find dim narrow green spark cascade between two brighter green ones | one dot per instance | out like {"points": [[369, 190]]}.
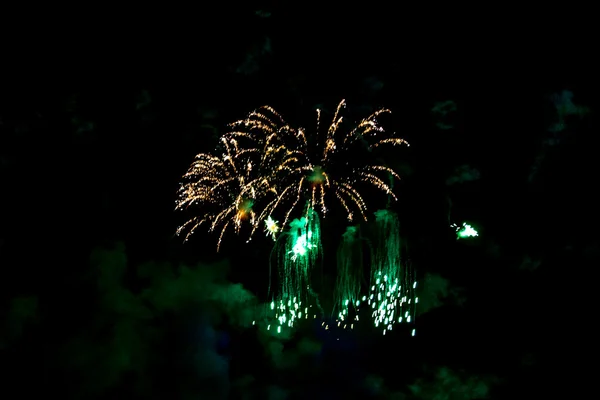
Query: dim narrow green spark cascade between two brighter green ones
{"points": [[349, 277]]}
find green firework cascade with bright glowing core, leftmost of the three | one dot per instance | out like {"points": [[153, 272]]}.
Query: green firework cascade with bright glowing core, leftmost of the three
{"points": [[297, 254]]}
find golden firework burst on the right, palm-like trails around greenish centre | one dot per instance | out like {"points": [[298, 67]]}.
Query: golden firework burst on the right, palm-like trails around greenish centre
{"points": [[325, 167]]}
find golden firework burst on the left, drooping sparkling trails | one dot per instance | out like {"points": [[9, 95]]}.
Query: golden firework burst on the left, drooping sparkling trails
{"points": [[227, 189]]}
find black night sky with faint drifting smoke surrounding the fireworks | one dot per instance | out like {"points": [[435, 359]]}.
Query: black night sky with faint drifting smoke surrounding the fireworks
{"points": [[101, 115]]}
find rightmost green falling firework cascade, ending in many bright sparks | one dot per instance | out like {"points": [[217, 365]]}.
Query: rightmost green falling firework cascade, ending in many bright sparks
{"points": [[392, 297]]}
